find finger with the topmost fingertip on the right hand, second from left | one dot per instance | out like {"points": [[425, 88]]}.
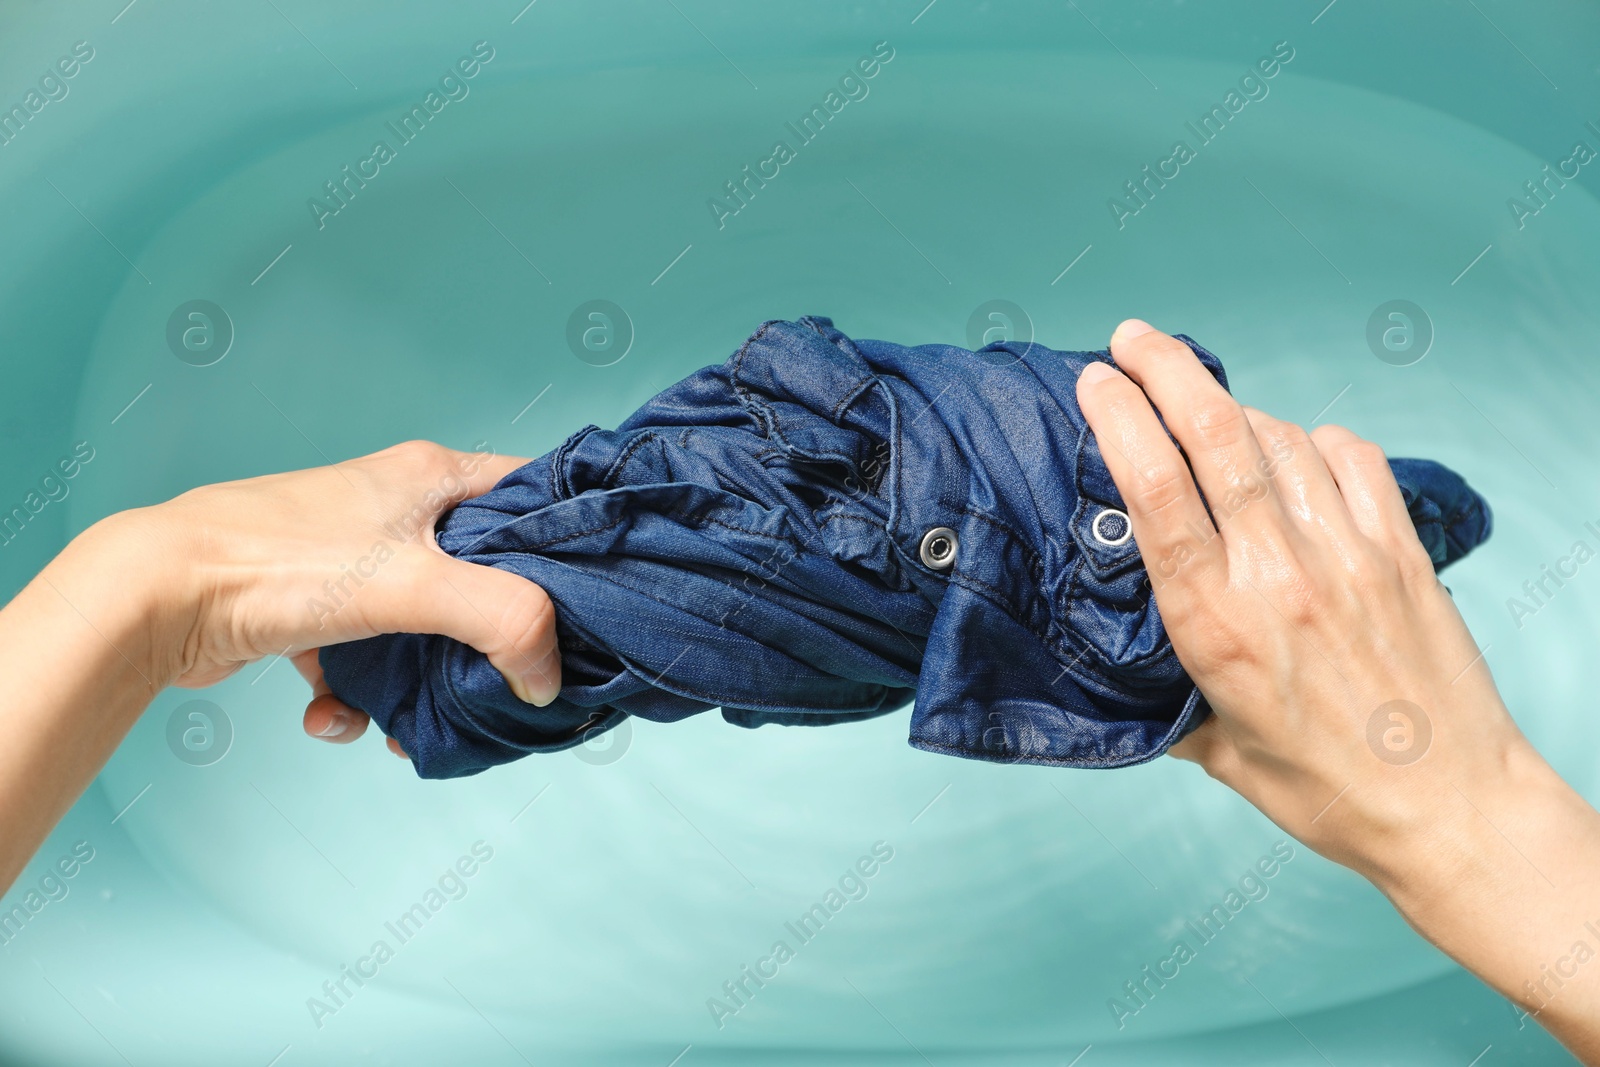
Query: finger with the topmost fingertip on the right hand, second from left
{"points": [[1207, 422]]}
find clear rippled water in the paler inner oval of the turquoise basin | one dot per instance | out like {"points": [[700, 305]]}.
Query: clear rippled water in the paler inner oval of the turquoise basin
{"points": [[482, 290]]}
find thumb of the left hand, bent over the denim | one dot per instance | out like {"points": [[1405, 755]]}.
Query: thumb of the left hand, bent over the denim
{"points": [[502, 615]]}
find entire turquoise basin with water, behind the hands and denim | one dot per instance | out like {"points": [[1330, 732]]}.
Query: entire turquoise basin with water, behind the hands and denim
{"points": [[436, 305]]}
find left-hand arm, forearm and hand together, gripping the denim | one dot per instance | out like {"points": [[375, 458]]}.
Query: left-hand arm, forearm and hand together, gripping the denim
{"points": [[190, 591]]}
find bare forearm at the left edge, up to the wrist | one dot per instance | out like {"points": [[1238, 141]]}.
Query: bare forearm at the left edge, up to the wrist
{"points": [[81, 650]]}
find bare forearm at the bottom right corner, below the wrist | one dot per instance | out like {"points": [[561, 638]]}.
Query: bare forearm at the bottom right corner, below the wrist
{"points": [[1506, 881]]}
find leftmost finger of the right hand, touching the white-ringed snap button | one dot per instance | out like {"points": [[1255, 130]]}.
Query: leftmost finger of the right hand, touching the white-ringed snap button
{"points": [[1170, 522]]}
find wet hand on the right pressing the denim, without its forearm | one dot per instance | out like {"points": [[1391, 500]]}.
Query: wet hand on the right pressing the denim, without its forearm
{"points": [[1308, 609]]}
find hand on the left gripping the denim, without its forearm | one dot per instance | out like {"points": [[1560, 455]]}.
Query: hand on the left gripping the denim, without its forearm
{"points": [[290, 562]]}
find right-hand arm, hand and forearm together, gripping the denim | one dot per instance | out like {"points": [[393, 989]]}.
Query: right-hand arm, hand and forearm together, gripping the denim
{"points": [[1351, 703]]}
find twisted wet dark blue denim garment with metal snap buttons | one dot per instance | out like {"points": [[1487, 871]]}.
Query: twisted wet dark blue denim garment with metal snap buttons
{"points": [[753, 540]]}
